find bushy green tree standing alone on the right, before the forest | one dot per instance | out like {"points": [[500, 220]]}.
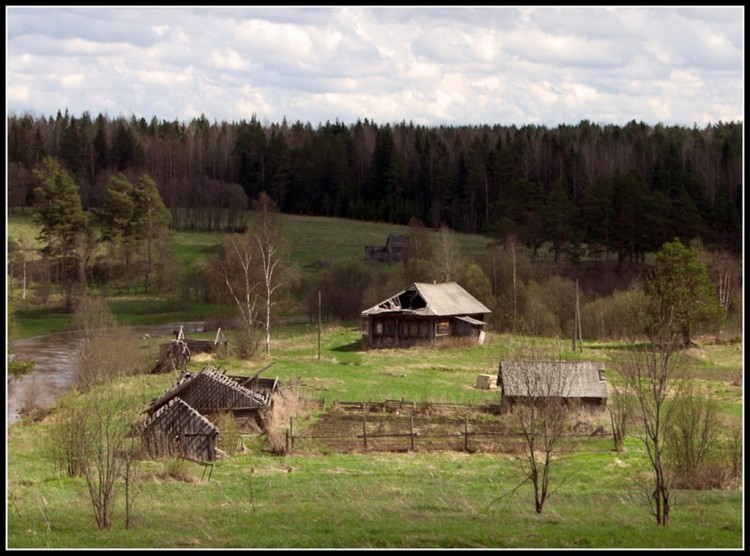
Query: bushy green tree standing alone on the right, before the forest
{"points": [[680, 288]]}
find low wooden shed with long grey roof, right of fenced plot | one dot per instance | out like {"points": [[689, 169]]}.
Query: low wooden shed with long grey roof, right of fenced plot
{"points": [[535, 381]]}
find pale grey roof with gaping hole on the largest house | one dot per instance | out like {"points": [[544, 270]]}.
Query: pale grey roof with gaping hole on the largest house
{"points": [[422, 298]]}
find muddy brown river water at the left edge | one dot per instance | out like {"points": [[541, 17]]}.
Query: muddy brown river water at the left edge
{"points": [[54, 358]]}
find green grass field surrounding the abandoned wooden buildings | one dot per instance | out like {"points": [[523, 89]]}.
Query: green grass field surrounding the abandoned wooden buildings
{"points": [[417, 499]]}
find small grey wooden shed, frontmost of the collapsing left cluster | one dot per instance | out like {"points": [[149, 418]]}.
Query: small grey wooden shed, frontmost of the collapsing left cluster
{"points": [[176, 429]]}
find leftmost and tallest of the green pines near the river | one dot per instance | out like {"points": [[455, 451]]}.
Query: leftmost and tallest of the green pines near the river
{"points": [[60, 215]]}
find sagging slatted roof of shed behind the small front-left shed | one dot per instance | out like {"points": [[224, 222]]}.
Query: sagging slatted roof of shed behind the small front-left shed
{"points": [[211, 390]]}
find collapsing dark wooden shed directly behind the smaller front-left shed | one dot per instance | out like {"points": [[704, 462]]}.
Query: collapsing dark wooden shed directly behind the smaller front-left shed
{"points": [[212, 392]]}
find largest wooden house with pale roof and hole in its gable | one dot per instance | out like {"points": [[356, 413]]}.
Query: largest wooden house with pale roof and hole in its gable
{"points": [[425, 313]]}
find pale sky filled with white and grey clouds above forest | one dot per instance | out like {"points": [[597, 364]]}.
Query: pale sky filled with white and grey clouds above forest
{"points": [[431, 66]]}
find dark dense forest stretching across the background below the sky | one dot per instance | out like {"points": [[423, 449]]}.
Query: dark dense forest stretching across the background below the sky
{"points": [[615, 189]]}
